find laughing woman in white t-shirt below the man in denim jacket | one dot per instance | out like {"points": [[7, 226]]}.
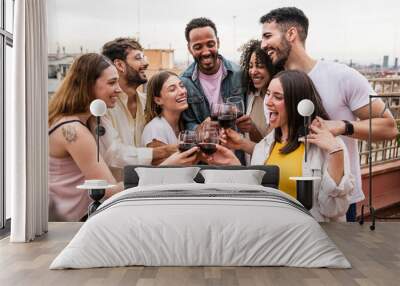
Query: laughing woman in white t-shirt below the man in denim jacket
{"points": [[166, 100]]}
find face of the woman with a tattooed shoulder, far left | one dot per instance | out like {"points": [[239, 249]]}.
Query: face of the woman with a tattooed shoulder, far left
{"points": [[106, 86]]}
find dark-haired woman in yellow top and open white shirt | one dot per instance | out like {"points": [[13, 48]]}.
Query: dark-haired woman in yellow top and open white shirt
{"points": [[327, 156]]}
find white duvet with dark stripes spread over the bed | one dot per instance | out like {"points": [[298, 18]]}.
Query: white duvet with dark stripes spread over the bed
{"points": [[187, 230]]}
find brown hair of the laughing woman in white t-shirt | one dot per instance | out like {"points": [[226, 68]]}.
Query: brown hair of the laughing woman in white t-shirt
{"points": [[154, 87]]}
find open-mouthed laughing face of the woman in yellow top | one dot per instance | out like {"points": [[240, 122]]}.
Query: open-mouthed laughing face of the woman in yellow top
{"points": [[275, 103]]}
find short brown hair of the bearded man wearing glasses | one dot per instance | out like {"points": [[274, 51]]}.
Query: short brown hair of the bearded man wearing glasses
{"points": [[119, 48]]}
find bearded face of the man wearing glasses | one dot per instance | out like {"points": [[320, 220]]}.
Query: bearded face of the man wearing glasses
{"points": [[135, 67]]}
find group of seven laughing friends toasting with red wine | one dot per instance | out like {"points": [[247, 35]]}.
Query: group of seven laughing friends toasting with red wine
{"points": [[274, 75]]}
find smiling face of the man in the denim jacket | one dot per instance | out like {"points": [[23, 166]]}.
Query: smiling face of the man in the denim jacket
{"points": [[203, 45]]}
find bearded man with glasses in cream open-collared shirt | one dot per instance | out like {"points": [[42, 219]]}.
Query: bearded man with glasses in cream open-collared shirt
{"points": [[124, 124]]}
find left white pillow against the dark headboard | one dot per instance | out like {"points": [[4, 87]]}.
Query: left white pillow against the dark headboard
{"points": [[166, 176]]}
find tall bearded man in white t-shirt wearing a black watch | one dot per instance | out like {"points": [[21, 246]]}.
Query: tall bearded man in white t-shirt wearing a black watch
{"points": [[344, 91]]}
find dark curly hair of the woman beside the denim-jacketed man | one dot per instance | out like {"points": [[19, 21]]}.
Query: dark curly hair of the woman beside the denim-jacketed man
{"points": [[254, 46]]}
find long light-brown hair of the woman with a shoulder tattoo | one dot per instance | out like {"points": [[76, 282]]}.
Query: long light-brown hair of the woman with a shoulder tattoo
{"points": [[76, 90]]}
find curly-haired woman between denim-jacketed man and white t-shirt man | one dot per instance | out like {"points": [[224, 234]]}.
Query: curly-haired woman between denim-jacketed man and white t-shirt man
{"points": [[258, 71]]}
